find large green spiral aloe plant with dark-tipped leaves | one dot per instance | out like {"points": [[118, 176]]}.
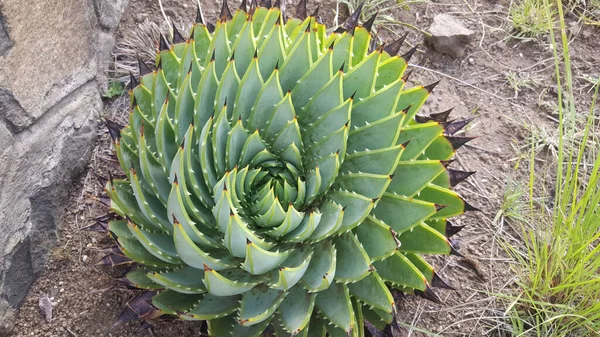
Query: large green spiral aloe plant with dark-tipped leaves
{"points": [[277, 175]]}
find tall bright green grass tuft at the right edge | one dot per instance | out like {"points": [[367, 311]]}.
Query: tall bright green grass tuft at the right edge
{"points": [[558, 263]]}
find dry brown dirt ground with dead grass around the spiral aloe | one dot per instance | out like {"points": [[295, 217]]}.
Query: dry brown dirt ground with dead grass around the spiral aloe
{"points": [[477, 85]]}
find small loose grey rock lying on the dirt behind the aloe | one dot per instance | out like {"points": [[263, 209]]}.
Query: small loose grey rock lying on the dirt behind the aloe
{"points": [[449, 35]]}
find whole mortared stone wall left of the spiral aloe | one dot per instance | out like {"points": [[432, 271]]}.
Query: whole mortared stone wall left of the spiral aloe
{"points": [[52, 57]]}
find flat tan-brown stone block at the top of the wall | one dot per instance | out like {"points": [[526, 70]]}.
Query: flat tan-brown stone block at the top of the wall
{"points": [[52, 58]]}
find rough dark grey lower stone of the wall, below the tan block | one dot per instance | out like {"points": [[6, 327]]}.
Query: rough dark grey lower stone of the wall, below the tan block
{"points": [[36, 175]]}
